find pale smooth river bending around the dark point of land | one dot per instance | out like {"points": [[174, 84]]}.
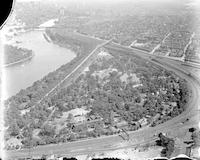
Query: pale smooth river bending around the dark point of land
{"points": [[47, 57]]}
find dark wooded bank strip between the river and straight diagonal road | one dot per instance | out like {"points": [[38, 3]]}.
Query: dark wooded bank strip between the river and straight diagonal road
{"points": [[42, 86]]}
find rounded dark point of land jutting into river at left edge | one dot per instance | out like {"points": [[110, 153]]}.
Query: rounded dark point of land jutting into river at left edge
{"points": [[14, 55]]}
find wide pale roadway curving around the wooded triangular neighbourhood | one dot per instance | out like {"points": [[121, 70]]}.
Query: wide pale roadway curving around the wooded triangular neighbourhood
{"points": [[136, 137]]}
